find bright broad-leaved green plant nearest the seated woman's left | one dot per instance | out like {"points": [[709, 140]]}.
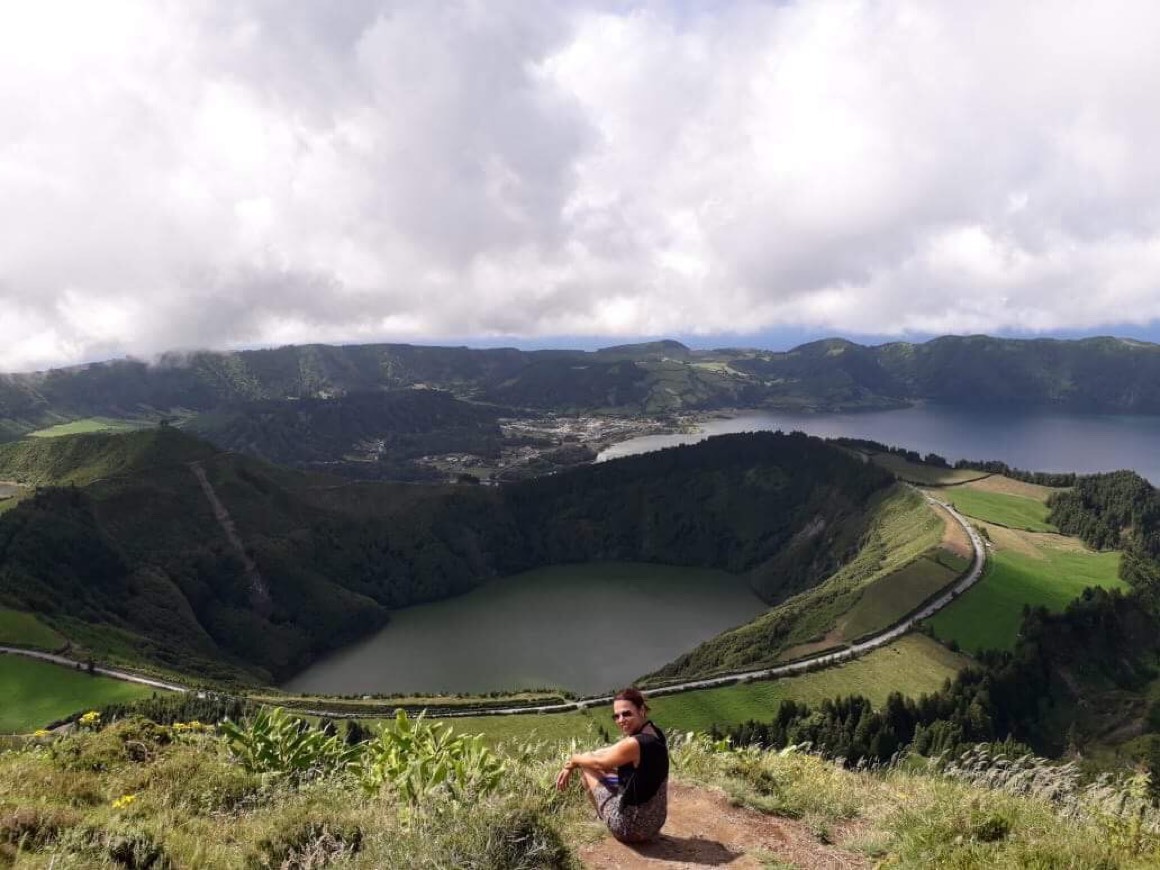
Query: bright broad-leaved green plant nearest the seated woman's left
{"points": [[420, 762]]}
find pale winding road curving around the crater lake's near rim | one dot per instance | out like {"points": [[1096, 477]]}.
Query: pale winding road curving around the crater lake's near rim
{"points": [[787, 670]]}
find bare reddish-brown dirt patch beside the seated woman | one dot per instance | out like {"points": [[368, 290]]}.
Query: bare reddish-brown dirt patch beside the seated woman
{"points": [[704, 830]]}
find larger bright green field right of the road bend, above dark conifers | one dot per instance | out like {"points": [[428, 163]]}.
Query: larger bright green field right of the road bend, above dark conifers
{"points": [[989, 615]]}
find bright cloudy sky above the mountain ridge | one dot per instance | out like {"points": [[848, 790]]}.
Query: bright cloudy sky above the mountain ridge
{"points": [[242, 173]]}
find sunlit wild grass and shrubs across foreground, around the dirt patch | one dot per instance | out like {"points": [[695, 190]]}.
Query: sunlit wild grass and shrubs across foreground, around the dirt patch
{"points": [[140, 795]]}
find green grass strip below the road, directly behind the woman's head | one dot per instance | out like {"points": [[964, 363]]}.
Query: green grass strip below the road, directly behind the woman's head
{"points": [[912, 665]]}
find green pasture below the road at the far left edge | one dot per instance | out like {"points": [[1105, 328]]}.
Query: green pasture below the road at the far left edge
{"points": [[37, 693]]}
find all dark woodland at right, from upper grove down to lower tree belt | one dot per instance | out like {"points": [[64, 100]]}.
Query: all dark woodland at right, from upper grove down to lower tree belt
{"points": [[1079, 679]]}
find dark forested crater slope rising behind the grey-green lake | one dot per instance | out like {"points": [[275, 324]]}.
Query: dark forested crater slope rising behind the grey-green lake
{"points": [[135, 562]]}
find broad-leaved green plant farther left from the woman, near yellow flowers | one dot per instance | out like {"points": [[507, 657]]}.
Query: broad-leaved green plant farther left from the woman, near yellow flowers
{"points": [[275, 743]]}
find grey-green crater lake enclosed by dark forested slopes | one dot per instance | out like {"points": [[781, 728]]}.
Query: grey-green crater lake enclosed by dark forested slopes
{"points": [[588, 628]]}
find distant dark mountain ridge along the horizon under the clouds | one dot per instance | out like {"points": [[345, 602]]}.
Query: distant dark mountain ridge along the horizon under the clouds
{"points": [[1101, 375]]}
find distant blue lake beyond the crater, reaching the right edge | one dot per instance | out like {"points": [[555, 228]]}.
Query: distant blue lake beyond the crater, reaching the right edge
{"points": [[1035, 441]]}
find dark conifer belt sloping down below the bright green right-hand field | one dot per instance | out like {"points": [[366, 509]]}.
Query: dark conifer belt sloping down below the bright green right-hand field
{"points": [[1104, 641]]}
